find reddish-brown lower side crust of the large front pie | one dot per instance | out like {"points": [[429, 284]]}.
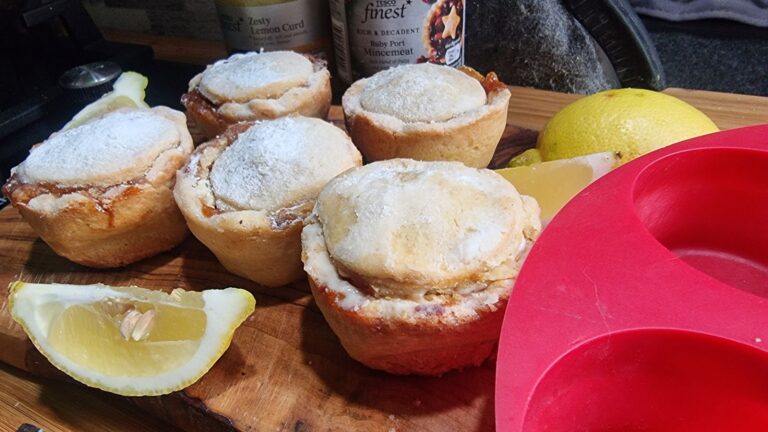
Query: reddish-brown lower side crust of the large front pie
{"points": [[403, 347]]}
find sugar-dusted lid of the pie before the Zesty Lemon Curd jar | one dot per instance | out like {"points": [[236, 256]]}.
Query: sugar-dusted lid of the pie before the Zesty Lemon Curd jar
{"points": [[243, 77]]}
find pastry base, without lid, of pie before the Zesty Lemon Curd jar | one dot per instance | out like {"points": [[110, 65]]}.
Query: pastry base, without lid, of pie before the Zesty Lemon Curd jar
{"points": [[210, 119]]}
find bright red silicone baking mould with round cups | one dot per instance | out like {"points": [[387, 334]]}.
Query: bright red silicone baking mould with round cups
{"points": [[644, 304]]}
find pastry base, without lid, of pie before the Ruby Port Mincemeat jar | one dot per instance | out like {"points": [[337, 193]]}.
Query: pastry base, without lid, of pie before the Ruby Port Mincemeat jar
{"points": [[471, 137]]}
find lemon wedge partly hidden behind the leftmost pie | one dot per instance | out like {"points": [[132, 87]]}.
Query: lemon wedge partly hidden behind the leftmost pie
{"points": [[127, 92]]}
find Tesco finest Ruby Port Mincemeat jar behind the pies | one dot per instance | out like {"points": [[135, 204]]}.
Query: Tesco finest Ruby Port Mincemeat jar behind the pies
{"points": [[373, 35]]}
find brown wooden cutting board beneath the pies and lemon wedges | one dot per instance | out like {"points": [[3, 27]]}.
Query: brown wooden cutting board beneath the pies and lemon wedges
{"points": [[285, 369]]}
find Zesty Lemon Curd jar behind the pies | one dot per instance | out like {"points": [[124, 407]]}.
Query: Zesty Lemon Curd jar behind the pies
{"points": [[271, 25]]}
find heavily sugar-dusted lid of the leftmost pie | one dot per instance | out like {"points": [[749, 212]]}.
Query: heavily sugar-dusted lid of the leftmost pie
{"points": [[107, 150]]}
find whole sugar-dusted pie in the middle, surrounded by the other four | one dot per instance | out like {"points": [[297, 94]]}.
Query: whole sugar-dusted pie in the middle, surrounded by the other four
{"points": [[248, 209]]}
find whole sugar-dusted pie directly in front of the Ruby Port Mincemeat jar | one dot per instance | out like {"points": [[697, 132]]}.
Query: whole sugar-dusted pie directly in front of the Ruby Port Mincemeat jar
{"points": [[469, 135]]}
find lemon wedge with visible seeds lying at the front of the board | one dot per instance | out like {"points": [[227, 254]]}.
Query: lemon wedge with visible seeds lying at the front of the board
{"points": [[128, 340]]}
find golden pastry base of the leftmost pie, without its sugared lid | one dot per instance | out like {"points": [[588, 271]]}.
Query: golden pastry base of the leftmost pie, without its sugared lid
{"points": [[141, 218]]}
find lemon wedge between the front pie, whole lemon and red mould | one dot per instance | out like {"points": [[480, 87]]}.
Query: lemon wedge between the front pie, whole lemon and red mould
{"points": [[554, 183]]}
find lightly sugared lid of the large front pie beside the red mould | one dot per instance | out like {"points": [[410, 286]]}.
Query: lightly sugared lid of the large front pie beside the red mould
{"points": [[421, 219]]}
